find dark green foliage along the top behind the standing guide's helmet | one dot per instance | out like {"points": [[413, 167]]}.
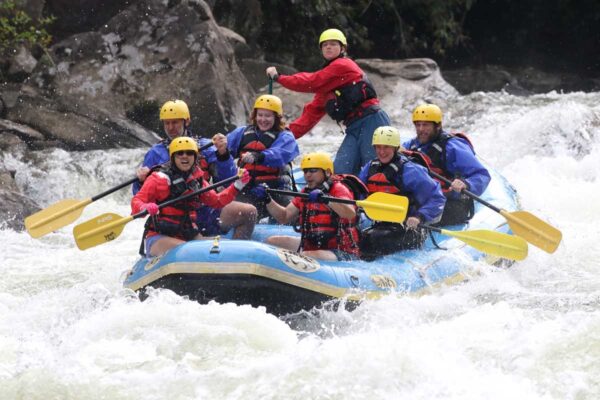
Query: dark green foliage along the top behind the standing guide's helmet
{"points": [[288, 30]]}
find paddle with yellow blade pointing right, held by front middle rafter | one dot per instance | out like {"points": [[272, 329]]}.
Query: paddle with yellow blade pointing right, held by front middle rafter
{"points": [[379, 206]]}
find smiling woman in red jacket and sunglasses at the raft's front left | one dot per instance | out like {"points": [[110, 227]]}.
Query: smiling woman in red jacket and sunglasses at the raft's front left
{"points": [[176, 223]]}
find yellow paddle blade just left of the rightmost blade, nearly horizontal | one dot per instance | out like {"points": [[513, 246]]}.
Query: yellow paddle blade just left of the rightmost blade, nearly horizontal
{"points": [[492, 242]]}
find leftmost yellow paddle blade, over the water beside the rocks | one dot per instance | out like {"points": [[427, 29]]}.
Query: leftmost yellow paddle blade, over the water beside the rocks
{"points": [[55, 217]]}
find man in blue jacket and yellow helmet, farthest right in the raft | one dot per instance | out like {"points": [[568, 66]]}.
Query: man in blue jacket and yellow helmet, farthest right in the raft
{"points": [[451, 155]]}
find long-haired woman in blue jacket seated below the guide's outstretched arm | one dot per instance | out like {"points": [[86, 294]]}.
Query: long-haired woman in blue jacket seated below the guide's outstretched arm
{"points": [[265, 148]]}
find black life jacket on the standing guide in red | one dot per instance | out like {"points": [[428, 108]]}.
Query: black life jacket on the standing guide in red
{"points": [[347, 101]]}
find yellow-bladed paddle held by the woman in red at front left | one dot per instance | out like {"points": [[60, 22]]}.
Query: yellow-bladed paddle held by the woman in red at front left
{"points": [[109, 226]]}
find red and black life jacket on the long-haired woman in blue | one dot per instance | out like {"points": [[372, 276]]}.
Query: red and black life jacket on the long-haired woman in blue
{"points": [[251, 142]]}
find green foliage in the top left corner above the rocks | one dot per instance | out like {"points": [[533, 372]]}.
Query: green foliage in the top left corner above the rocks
{"points": [[17, 27]]}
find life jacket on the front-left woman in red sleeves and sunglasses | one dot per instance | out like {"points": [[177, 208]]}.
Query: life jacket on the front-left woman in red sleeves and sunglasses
{"points": [[178, 219]]}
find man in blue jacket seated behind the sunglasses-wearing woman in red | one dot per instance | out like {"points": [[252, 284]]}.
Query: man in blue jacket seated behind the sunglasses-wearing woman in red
{"points": [[216, 164]]}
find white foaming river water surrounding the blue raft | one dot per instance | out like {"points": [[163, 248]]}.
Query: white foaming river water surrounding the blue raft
{"points": [[68, 330]]}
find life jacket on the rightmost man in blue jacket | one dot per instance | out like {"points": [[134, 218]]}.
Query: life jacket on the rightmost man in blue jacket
{"points": [[434, 159]]}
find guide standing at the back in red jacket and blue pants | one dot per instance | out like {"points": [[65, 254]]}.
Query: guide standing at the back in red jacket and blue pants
{"points": [[342, 91]]}
